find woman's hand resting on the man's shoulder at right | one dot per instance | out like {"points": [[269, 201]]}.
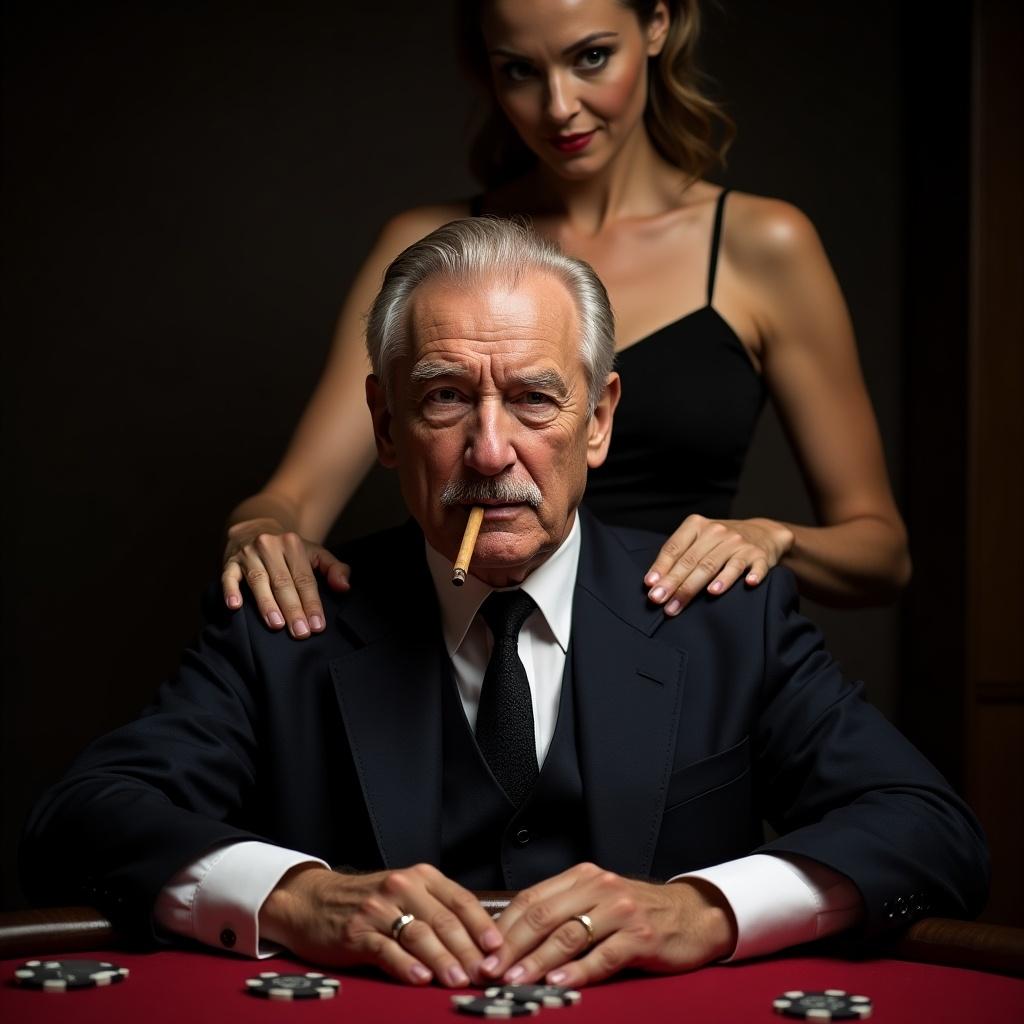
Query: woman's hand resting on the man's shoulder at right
{"points": [[712, 556]]}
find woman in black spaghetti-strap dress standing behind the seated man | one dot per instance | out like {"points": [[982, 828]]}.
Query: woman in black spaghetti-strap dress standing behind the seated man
{"points": [[602, 138]]}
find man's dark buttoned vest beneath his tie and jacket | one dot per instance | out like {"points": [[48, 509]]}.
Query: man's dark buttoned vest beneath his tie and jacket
{"points": [[486, 842]]}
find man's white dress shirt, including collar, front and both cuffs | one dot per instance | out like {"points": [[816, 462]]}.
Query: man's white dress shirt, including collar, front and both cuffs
{"points": [[778, 902]]}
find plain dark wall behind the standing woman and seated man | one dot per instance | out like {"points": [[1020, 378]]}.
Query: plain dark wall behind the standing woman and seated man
{"points": [[189, 189]]}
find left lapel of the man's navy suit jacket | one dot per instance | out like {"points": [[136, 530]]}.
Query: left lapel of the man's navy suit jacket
{"points": [[389, 691]]}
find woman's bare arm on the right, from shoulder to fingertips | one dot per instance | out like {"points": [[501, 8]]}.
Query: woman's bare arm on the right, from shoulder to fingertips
{"points": [[775, 266]]}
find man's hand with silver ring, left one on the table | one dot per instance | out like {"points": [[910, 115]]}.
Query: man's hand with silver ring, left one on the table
{"points": [[345, 920]]}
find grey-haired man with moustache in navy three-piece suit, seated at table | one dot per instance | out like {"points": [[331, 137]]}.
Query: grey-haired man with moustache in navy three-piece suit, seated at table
{"points": [[542, 730]]}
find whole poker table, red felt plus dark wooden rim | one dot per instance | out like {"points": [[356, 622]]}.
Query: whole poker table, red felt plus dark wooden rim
{"points": [[938, 970]]}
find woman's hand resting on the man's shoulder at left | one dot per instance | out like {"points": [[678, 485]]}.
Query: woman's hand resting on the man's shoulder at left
{"points": [[281, 570]]}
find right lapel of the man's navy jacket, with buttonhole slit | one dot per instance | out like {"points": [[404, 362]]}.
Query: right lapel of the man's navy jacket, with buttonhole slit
{"points": [[629, 689]]}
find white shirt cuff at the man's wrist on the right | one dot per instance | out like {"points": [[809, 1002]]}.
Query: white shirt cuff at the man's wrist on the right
{"points": [[781, 901]]}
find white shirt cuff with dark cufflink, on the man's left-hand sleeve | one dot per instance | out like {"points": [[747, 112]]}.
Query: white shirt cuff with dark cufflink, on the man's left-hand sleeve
{"points": [[218, 899]]}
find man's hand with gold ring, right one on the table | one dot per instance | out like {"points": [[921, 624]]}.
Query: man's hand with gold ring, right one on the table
{"points": [[659, 928]]}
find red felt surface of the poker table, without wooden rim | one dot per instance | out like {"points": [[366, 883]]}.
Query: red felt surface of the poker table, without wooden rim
{"points": [[172, 988]]}
